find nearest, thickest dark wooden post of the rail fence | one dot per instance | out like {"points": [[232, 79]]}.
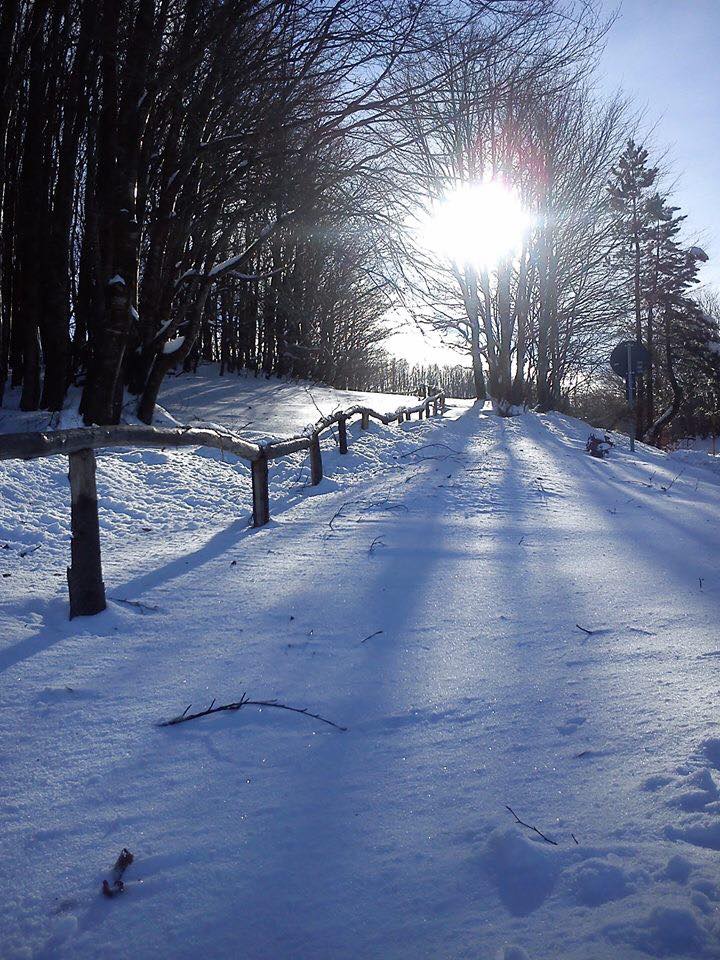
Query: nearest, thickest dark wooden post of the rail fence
{"points": [[85, 583]]}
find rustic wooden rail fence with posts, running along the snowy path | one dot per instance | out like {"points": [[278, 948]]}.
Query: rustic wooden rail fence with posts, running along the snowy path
{"points": [[85, 582]]}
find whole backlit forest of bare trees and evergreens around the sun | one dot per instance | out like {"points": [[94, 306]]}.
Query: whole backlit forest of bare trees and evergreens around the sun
{"points": [[247, 182]]}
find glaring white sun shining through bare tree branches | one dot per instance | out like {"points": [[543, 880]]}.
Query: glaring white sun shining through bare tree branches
{"points": [[478, 224]]}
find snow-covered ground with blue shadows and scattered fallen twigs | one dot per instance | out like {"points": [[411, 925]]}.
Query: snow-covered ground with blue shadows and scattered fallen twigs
{"points": [[498, 619]]}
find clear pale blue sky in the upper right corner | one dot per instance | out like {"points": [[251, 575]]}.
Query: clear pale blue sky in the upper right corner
{"points": [[666, 55]]}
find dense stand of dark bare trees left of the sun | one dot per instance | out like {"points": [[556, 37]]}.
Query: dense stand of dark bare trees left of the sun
{"points": [[171, 167]]}
